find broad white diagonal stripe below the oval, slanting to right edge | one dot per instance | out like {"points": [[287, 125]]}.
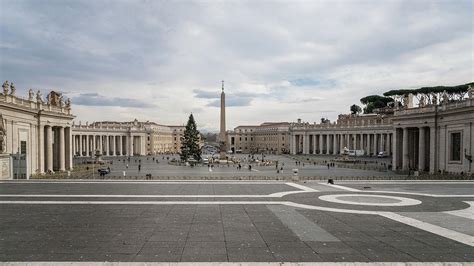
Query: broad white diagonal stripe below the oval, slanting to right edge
{"points": [[456, 236]]}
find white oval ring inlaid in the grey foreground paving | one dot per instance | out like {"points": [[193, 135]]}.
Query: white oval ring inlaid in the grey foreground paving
{"points": [[400, 200]]}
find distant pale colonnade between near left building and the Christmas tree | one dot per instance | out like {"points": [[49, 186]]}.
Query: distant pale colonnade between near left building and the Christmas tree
{"points": [[108, 145]]}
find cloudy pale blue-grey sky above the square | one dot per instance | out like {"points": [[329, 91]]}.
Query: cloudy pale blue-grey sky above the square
{"points": [[280, 60]]}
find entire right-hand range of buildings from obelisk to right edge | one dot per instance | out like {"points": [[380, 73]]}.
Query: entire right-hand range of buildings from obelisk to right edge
{"points": [[435, 137]]}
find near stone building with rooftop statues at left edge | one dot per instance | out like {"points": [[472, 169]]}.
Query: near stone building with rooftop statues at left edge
{"points": [[37, 134]]}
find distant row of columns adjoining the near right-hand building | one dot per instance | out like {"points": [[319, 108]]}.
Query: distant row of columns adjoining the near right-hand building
{"points": [[334, 143]]}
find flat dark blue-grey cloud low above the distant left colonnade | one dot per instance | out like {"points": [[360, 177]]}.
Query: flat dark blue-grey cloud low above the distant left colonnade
{"points": [[95, 99]]}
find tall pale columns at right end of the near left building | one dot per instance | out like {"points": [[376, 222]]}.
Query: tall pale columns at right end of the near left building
{"points": [[54, 149]]}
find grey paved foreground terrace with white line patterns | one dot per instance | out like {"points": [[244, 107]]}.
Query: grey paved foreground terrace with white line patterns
{"points": [[225, 221]]}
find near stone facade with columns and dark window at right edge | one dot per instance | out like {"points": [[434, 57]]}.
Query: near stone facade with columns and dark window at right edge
{"points": [[435, 138]]}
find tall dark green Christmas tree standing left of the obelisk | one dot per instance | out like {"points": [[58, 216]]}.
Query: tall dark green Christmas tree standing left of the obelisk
{"points": [[190, 141]]}
